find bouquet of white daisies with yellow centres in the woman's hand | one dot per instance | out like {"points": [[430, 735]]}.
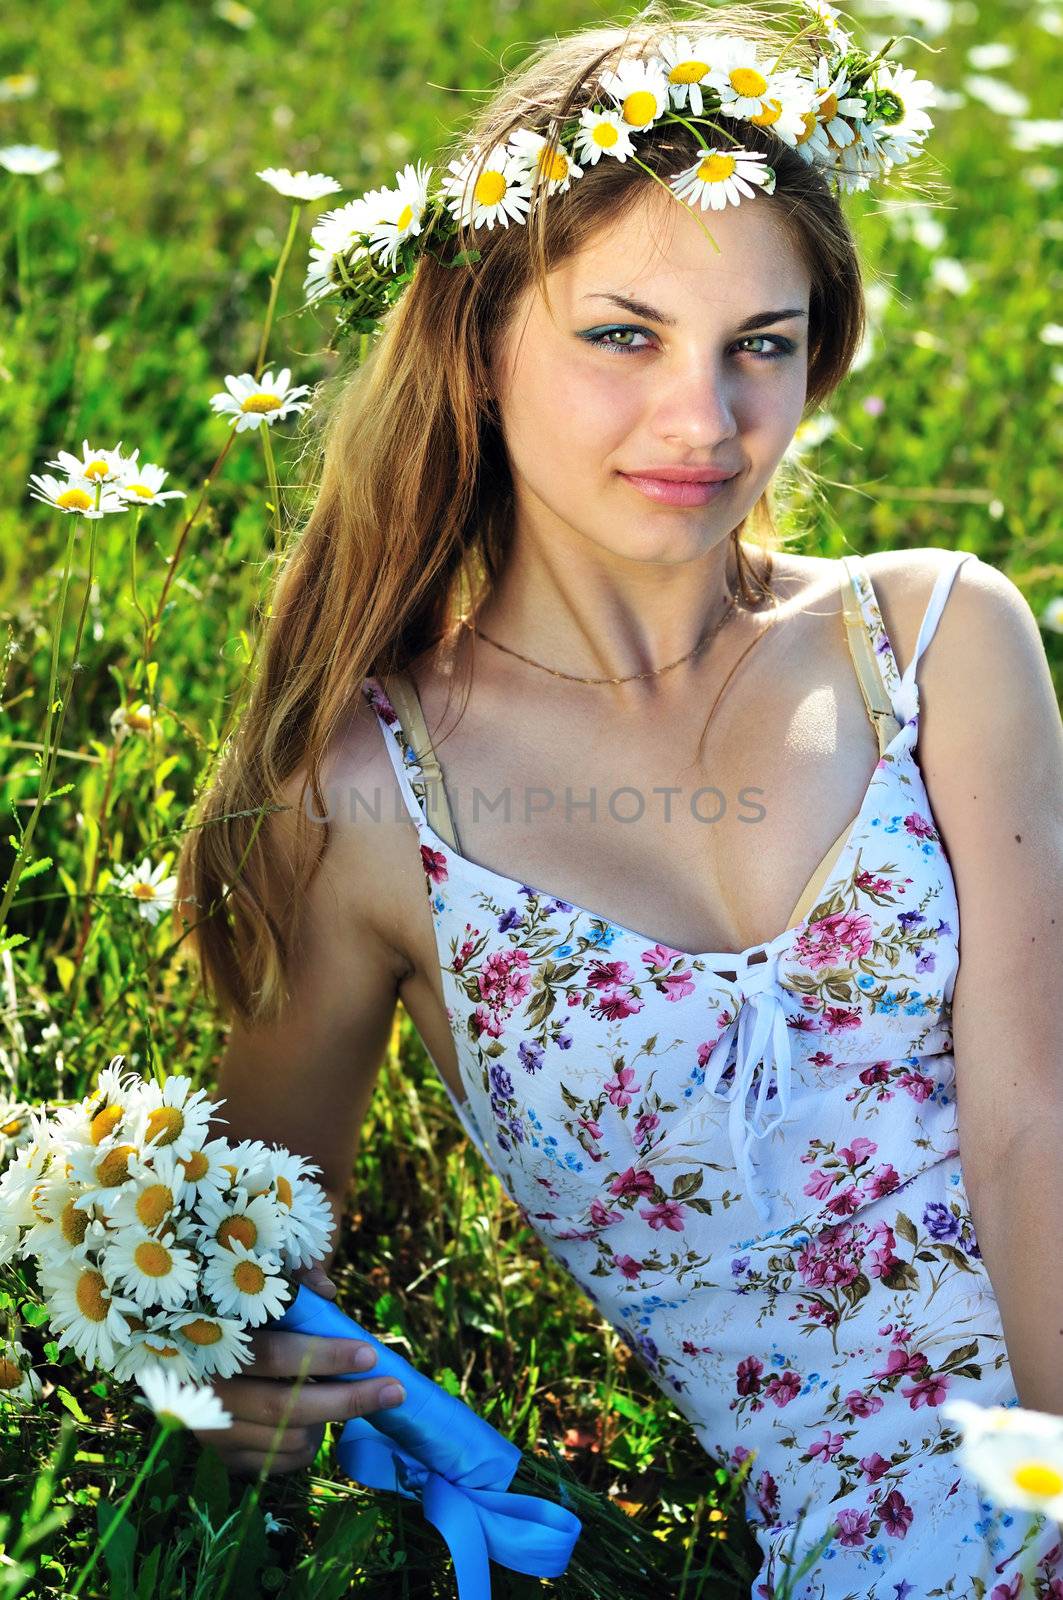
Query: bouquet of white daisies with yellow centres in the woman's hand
{"points": [[154, 1244]]}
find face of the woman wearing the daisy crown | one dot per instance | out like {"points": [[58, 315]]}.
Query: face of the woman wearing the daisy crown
{"points": [[710, 372]]}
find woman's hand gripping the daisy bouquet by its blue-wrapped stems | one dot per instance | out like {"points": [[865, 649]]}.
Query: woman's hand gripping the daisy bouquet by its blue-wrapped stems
{"points": [[262, 1394]]}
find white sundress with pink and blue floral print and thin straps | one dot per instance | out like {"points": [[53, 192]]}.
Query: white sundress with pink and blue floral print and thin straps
{"points": [[750, 1162]]}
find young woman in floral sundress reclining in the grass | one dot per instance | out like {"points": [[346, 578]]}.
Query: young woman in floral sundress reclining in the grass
{"points": [[676, 902]]}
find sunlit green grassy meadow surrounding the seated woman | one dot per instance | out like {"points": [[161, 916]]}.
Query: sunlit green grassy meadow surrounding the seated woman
{"points": [[135, 274]]}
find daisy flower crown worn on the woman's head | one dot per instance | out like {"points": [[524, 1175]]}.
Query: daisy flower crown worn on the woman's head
{"points": [[846, 113]]}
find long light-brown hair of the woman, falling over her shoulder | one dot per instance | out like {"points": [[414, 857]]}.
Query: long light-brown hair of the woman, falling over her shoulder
{"points": [[414, 516]]}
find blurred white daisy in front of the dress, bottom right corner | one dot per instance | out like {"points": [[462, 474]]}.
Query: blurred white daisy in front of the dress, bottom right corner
{"points": [[1016, 1454]]}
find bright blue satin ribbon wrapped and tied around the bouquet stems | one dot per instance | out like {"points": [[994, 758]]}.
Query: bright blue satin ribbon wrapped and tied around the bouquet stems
{"points": [[438, 1450]]}
